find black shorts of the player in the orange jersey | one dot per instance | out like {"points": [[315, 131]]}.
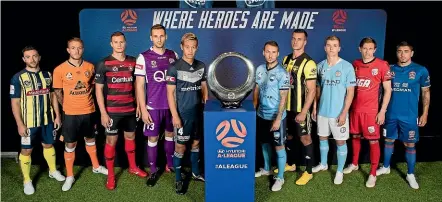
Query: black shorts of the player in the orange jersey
{"points": [[78, 125]]}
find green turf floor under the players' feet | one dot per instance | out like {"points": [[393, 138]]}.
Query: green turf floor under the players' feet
{"points": [[90, 187]]}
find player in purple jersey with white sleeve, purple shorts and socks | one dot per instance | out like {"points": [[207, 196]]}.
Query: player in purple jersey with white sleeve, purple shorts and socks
{"points": [[151, 68]]}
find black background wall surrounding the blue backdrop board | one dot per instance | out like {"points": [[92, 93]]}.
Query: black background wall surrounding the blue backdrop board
{"points": [[48, 25]]}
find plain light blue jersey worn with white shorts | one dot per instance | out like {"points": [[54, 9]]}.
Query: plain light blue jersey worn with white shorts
{"points": [[333, 82]]}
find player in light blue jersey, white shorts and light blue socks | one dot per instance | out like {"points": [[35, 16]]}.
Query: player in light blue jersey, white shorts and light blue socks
{"points": [[335, 91]]}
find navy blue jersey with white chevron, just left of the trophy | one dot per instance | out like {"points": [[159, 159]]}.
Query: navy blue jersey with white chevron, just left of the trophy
{"points": [[187, 78]]}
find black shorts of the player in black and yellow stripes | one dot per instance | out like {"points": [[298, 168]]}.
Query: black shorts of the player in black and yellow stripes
{"points": [[300, 129]]}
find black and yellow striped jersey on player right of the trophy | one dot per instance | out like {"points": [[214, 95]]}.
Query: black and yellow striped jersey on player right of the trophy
{"points": [[301, 69]]}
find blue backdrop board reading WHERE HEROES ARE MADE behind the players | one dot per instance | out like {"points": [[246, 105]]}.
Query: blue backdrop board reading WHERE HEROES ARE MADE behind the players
{"points": [[233, 29]]}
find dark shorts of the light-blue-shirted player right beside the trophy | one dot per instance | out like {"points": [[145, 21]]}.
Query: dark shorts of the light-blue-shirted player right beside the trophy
{"points": [[266, 136]]}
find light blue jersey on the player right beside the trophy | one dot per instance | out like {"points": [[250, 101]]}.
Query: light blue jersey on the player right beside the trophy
{"points": [[270, 82]]}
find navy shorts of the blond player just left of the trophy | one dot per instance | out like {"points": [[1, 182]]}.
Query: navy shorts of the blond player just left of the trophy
{"points": [[191, 128]]}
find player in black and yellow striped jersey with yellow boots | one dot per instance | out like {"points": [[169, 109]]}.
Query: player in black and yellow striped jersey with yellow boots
{"points": [[302, 70]]}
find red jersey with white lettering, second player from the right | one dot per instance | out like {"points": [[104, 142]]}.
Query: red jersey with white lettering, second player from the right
{"points": [[369, 78]]}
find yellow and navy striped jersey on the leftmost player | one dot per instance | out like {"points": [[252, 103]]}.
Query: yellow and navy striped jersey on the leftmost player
{"points": [[34, 90]]}
